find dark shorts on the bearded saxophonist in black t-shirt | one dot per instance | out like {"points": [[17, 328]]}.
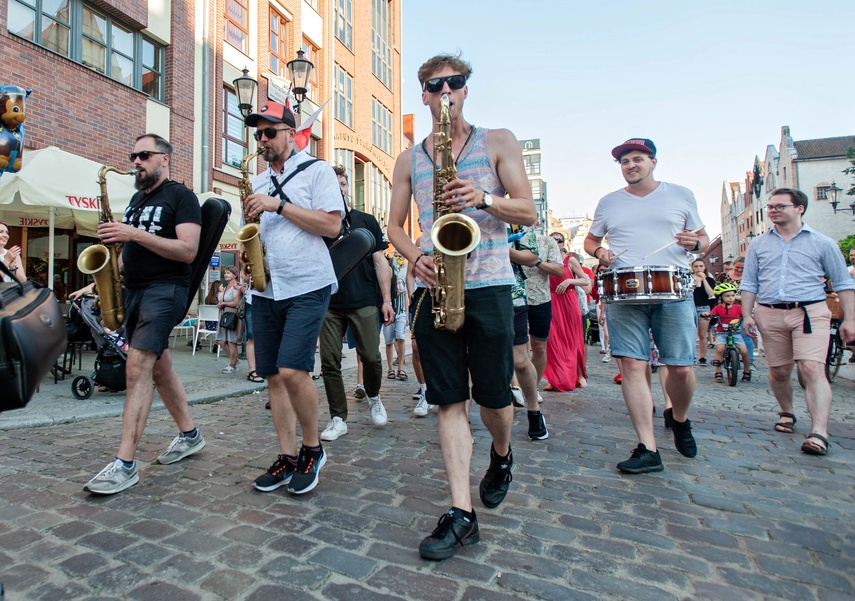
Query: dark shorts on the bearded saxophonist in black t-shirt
{"points": [[151, 313]]}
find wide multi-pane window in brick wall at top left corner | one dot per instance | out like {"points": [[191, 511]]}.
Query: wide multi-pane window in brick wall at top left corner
{"points": [[84, 34]]}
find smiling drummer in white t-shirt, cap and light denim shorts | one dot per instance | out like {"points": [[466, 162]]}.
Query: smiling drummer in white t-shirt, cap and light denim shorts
{"points": [[638, 221]]}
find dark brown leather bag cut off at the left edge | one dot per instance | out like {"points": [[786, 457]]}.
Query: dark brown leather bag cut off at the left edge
{"points": [[32, 336]]}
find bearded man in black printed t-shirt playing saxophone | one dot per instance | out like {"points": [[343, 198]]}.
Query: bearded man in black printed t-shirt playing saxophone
{"points": [[160, 233]]}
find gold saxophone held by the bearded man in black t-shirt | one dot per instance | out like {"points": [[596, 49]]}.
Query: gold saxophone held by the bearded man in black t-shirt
{"points": [[102, 261]]}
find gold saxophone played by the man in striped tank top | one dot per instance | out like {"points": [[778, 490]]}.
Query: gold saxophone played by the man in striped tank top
{"points": [[453, 235]]}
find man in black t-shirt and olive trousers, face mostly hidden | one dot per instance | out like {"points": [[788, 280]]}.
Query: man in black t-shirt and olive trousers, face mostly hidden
{"points": [[359, 295]]}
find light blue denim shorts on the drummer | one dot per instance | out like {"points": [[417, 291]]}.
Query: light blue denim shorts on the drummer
{"points": [[674, 328]]}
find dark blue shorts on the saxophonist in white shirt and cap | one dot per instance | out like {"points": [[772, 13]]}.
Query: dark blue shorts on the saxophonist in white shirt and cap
{"points": [[288, 330]]}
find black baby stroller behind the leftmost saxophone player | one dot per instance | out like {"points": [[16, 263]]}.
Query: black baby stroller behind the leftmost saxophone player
{"points": [[110, 360]]}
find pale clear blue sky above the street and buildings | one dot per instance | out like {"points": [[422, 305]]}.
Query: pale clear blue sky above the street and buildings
{"points": [[710, 83]]}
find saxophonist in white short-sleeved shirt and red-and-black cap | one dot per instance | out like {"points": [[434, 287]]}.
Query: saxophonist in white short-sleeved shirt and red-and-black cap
{"points": [[298, 201]]}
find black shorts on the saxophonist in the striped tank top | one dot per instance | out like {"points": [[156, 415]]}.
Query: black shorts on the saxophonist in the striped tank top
{"points": [[482, 349]]}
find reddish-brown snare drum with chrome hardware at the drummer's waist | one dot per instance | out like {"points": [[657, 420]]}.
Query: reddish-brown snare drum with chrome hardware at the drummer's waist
{"points": [[642, 285]]}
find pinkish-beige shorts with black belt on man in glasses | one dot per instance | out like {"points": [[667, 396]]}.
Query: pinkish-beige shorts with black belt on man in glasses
{"points": [[783, 338]]}
